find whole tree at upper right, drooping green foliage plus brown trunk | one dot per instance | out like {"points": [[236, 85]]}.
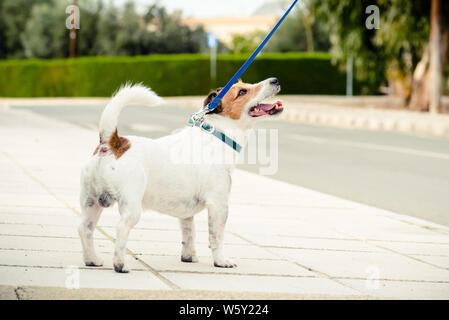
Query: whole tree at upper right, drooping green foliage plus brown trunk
{"points": [[399, 52]]}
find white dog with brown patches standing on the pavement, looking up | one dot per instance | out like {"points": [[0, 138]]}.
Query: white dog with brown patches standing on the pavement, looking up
{"points": [[139, 173]]}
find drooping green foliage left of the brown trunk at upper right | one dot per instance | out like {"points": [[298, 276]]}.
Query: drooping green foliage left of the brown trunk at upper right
{"points": [[392, 50]]}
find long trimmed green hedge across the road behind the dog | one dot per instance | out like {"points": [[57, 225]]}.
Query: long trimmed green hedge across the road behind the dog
{"points": [[168, 75]]}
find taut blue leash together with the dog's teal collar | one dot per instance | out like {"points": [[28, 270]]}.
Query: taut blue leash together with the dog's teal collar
{"points": [[197, 118]]}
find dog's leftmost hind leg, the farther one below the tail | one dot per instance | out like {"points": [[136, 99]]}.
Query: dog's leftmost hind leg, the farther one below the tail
{"points": [[90, 214]]}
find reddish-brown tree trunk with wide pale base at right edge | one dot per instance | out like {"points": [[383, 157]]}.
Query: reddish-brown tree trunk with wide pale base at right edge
{"points": [[428, 74]]}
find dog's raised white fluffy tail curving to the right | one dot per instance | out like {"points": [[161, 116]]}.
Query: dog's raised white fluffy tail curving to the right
{"points": [[127, 95]]}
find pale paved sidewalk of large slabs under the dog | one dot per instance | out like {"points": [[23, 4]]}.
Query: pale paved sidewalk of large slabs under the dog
{"points": [[289, 242]]}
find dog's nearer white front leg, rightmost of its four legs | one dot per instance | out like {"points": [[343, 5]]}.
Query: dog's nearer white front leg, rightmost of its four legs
{"points": [[218, 215]]}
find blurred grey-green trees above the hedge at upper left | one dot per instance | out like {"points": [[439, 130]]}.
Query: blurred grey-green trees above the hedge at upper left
{"points": [[36, 29]]}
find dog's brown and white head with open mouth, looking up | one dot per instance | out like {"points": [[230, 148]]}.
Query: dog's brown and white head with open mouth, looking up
{"points": [[246, 101]]}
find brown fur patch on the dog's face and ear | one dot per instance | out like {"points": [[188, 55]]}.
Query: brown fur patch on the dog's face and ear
{"points": [[233, 103]]}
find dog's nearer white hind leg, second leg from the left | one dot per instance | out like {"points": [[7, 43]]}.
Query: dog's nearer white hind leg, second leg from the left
{"points": [[130, 215]]}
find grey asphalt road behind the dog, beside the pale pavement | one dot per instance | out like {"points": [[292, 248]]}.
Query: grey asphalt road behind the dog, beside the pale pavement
{"points": [[402, 173]]}
